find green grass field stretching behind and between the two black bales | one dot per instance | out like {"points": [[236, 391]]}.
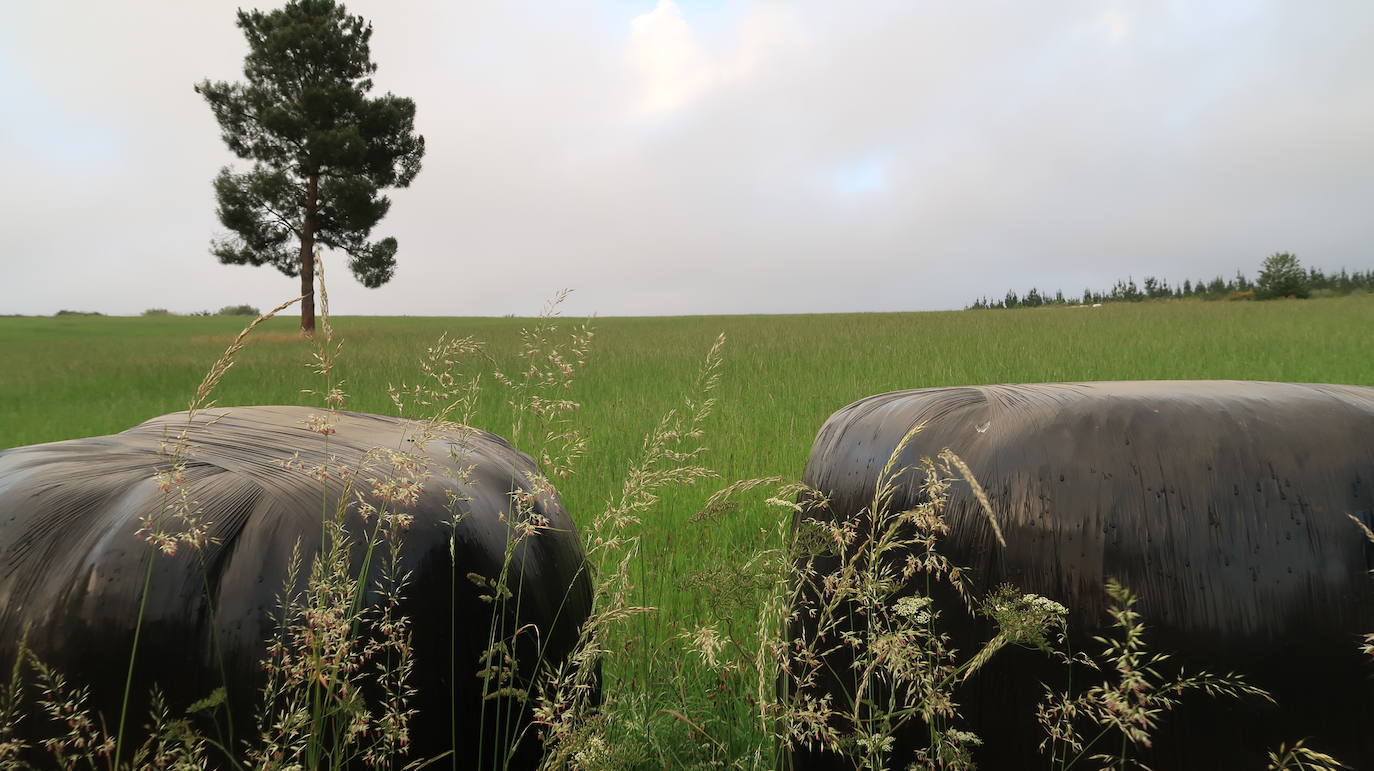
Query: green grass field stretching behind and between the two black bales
{"points": [[686, 680]]}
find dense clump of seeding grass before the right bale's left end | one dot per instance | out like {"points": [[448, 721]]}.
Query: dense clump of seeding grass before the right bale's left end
{"points": [[868, 658]]}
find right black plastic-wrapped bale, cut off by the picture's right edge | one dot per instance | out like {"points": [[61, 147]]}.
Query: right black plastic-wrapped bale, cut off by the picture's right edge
{"points": [[1222, 505]]}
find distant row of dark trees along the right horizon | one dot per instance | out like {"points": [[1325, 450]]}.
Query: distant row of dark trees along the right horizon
{"points": [[1281, 276]]}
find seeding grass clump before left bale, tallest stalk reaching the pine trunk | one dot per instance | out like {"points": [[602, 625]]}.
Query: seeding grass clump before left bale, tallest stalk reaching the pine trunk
{"points": [[329, 644]]}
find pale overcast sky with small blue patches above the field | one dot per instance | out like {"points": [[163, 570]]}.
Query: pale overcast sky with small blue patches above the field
{"points": [[718, 157]]}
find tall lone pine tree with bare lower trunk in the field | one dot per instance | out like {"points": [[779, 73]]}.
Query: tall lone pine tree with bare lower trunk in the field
{"points": [[321, 148]]}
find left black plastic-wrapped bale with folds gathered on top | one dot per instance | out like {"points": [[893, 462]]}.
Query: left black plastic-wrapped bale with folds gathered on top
{"points": [[72, 566]]}
